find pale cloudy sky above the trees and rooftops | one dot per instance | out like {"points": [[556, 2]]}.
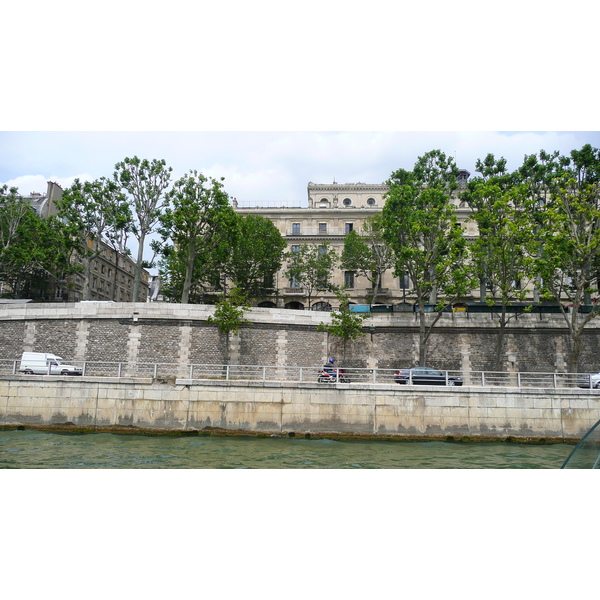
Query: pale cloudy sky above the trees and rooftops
{"points": [[269, 168]]}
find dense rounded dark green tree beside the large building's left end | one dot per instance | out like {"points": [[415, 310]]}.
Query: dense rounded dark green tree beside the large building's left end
{"points": [[255, 255]]}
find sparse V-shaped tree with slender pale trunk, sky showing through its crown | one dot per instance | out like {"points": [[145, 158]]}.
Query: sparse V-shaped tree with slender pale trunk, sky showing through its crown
{"points": [[146, 182]]}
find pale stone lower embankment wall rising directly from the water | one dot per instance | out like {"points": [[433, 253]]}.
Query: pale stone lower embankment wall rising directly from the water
{"points": [[111, 404]]}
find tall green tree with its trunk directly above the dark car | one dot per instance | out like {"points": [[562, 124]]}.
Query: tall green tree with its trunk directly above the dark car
{"points": [[421, 227]]}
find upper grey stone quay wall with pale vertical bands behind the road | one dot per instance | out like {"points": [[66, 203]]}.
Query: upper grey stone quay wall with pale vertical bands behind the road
{"points": [[174, 333]]}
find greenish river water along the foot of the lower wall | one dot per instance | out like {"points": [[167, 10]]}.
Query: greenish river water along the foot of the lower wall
{"points": [[43, 450]]}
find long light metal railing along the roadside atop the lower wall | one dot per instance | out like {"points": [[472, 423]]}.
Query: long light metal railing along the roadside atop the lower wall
{"points": [[311, 374]]}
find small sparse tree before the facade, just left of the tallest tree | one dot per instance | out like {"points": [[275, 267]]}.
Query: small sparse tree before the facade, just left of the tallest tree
{"points": [[366, 254]]}
